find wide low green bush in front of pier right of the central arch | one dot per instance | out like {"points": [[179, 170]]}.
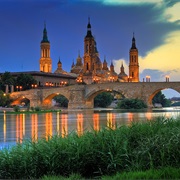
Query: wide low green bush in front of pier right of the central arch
{"points": [[131, 104]]}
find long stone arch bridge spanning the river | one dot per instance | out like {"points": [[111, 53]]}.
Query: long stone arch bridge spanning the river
{"points": [[82, 96]]}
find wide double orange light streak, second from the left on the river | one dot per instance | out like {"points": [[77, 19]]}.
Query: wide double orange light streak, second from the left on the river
{"points": [[20, 127]]}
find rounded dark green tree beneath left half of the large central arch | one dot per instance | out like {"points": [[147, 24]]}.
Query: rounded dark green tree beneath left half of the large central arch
{"points": [[103, 100]]}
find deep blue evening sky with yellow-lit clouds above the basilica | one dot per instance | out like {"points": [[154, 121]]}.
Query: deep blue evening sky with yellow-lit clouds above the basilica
{"points": [[155, 24]]}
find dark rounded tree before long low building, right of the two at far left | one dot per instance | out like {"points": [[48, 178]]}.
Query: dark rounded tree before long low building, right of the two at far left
{"points": [[25, 81]]}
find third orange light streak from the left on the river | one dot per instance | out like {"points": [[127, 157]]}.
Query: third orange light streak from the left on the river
{"points": [[34, 130]]}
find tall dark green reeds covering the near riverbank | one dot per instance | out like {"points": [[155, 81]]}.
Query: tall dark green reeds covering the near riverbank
{"points": [[136, 148]]}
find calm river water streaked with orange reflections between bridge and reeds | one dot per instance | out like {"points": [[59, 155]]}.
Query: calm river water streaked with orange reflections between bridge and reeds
{"points": [[16, 128]]}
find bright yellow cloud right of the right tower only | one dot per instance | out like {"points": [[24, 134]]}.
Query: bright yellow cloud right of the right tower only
{"points": [[165, 58]]}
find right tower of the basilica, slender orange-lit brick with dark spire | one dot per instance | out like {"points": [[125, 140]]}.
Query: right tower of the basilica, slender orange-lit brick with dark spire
{"points": [[133, 62]]}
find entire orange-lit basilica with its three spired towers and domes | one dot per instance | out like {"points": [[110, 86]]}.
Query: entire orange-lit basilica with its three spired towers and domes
{"points": [[90, 69]]}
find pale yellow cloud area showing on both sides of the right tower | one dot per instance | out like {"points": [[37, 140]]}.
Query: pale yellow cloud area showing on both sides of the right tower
{"points": [[161, 62]]}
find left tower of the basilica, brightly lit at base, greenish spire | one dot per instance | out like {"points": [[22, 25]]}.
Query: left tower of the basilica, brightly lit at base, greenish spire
{"points": [[45, 61]]}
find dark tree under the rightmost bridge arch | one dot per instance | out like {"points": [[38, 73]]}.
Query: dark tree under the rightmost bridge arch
{"points": [[161, 99]]}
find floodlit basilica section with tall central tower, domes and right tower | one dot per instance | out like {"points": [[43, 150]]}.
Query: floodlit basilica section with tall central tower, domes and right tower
{"points": [[92, 70]]}
